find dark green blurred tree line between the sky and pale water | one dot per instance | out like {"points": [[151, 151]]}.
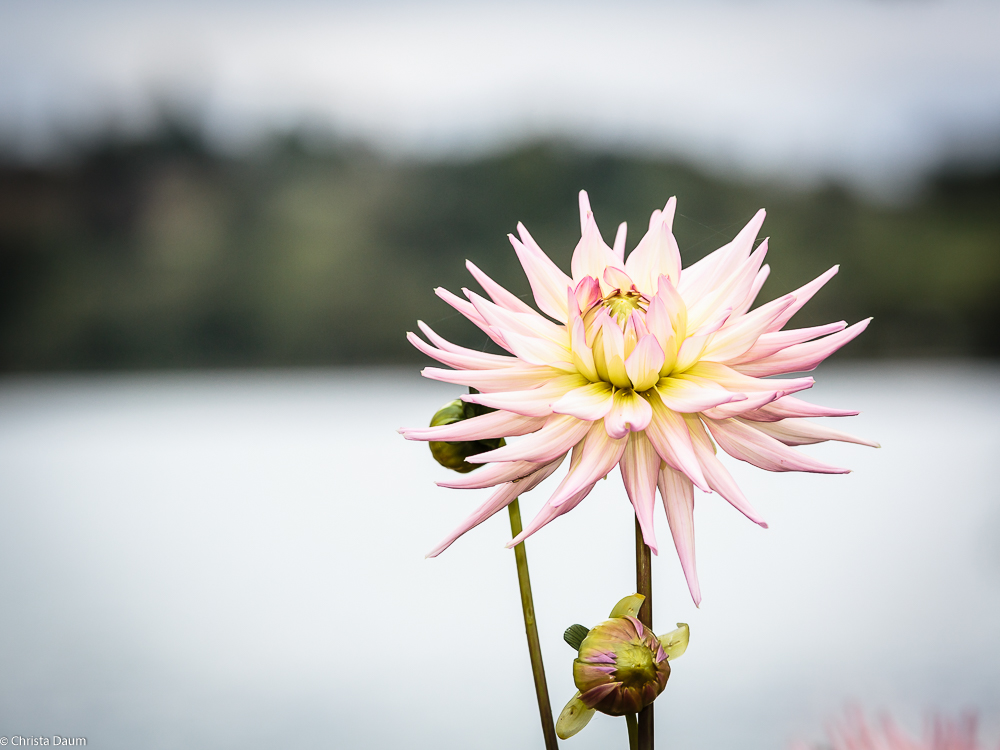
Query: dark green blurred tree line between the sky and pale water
{"points": [[161, 253]]}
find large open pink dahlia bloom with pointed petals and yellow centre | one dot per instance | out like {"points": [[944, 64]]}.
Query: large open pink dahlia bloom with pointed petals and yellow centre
{"points": [[636, 364]]}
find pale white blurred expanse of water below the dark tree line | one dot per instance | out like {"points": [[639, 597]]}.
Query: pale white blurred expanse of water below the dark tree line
{"points": [[236, 561]]}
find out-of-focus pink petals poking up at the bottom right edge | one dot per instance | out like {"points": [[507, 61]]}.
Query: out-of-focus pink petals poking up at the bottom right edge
{"points": [[855, 733]]}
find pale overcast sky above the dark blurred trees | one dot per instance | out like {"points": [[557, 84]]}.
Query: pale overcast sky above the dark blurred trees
{"points": [[871, 90]]}
